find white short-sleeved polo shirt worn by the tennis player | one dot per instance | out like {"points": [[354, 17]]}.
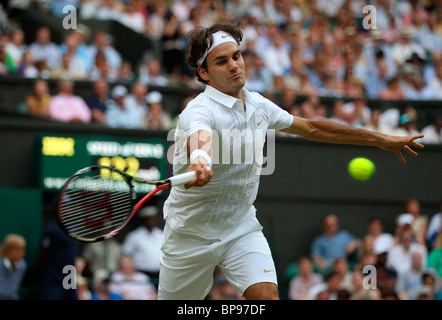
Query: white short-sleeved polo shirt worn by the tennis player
{"points": [[216, 209]]}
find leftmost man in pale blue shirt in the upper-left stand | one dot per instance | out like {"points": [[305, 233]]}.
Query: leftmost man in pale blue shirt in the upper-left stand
{"points": [[42, 48]]}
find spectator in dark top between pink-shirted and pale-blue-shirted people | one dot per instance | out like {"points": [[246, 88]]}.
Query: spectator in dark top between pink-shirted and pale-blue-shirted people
{"points": [[98, 100]]}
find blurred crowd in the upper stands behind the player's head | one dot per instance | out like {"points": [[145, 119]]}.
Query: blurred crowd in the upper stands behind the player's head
{"points": [[303, 48]]}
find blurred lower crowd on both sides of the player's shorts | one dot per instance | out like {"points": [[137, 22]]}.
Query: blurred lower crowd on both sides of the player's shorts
{"points": [[404, 264]]}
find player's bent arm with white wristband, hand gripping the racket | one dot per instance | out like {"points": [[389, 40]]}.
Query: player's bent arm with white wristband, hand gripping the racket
{"points": [[200, 142]]}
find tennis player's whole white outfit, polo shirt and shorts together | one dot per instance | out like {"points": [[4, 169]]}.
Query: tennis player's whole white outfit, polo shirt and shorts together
{"points": [[216, 225]]}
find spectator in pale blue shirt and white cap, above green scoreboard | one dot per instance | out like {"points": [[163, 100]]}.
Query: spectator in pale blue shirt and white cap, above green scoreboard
{"points": [[121, 114]]}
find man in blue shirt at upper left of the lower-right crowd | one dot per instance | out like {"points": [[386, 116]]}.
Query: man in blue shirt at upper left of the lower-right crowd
{"points": [[332, 244]]}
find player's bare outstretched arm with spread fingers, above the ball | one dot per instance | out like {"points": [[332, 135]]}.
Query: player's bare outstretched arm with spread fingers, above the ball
{"points": [[322, 130]]}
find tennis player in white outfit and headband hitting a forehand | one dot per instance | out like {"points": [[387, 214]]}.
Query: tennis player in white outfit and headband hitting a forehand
{"points": [[216, 225]]}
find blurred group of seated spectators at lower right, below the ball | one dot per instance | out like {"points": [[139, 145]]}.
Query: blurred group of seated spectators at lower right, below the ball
{"points": [[405, 264]]}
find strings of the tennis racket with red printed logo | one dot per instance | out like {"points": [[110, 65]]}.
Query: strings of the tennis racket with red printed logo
{"points": [[92, 205]]}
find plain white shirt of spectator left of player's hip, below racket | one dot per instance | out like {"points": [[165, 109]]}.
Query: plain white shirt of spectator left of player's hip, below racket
{"points": [[144, 247]]}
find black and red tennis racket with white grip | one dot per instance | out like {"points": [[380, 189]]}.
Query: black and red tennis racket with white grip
{"points": [[97, 202]]}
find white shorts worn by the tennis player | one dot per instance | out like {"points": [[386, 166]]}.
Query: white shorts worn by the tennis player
{"points": [[188, 263]]}
